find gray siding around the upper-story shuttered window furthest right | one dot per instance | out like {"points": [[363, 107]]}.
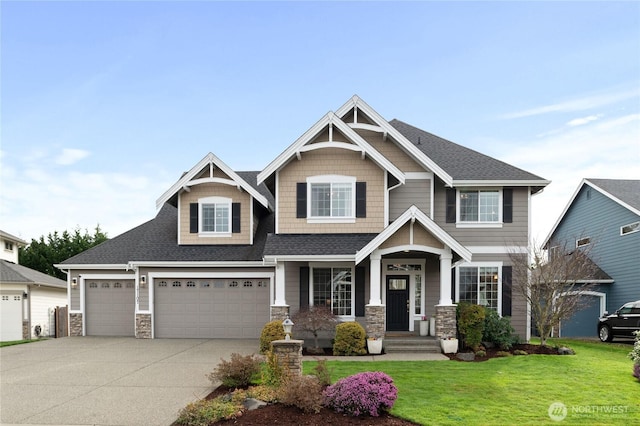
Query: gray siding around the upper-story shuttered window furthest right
{"points": [[514, 233]]}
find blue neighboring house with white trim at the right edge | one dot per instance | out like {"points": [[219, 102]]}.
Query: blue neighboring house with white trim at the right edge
{"points": [[606, 214]]}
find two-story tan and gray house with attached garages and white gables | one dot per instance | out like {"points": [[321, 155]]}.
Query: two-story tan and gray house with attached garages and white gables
{"points": [[382, 222]]}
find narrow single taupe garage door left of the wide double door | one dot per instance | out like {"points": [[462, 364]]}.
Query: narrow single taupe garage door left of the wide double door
{"points": [[110, 308]]}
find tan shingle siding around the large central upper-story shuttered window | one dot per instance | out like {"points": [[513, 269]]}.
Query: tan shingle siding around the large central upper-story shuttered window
{"points": [[330, 162]]}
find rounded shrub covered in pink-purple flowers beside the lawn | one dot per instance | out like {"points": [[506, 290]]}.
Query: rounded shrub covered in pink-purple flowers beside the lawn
{"points": [[368, 393]]}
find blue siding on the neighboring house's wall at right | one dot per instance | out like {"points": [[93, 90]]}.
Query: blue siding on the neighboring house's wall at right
{"points": [[600, 218]]}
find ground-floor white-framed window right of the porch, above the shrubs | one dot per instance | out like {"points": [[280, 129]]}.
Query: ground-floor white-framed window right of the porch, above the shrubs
{"points": [[479, 285]]}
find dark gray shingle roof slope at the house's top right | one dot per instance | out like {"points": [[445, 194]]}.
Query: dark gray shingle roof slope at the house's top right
{"points": [[459, 162]]}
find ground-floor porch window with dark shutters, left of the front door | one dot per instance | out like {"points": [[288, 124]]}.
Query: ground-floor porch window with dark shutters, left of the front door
{"points": [[333, 288]]}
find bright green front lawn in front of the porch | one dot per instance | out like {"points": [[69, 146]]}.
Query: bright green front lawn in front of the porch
{"points": [[595, 385]]}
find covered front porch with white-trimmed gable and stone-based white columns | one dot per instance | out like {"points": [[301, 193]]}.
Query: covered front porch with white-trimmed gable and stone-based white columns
{"points": [[395, 279]]}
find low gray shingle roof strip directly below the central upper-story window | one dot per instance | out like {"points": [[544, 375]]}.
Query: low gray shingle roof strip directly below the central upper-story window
{"points": [[315, 244]]}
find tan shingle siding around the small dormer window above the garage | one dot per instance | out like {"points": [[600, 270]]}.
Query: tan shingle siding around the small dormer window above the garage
{"points": [[214, 190]]}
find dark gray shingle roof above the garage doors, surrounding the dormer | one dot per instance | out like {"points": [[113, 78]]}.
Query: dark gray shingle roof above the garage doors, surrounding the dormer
{"points": [[157, 240]]}
